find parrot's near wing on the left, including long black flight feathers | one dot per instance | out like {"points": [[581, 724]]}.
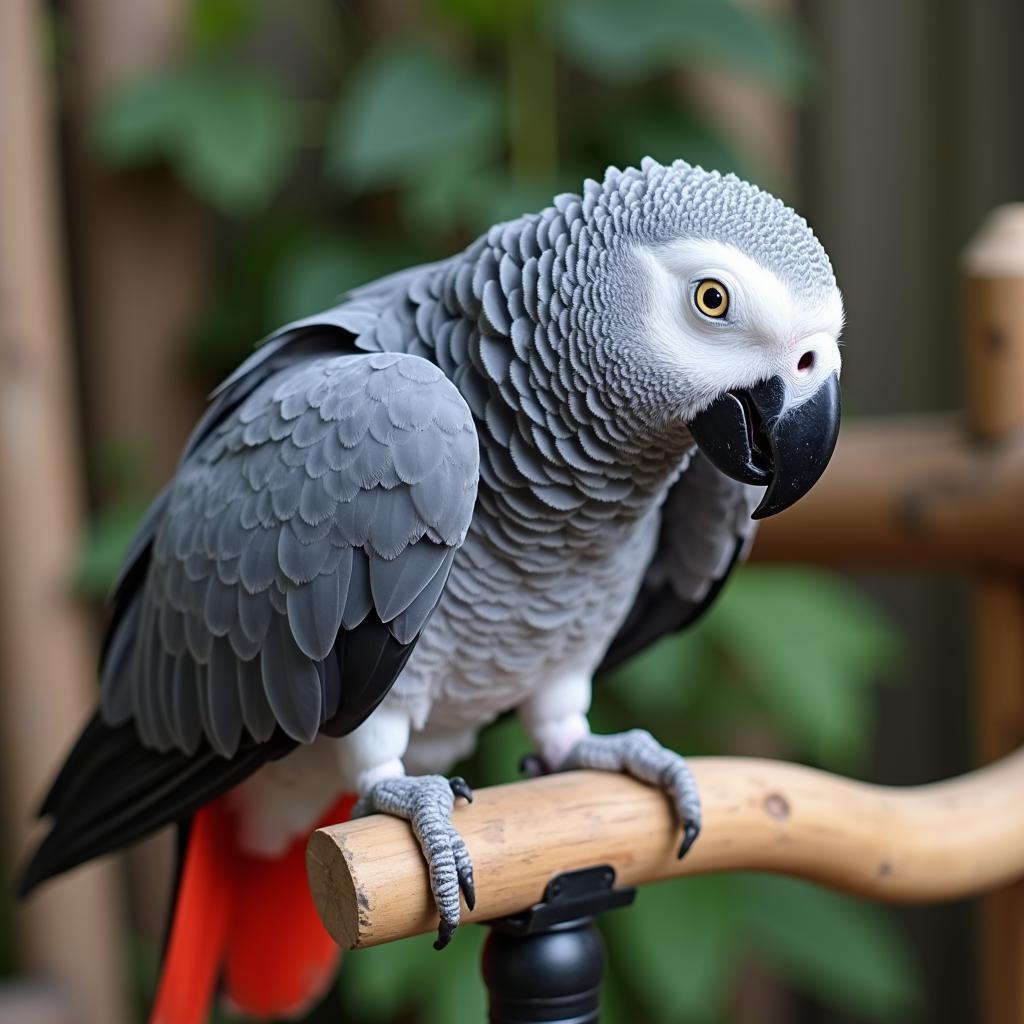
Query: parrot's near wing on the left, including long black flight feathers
{"points": [[276, 591]]}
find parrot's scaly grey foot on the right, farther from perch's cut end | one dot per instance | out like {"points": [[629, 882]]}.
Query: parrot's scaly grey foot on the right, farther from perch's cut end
{"points": [[638, 754]]}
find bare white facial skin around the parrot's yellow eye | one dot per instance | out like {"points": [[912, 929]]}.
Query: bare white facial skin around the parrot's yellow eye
{"points": [[766, 332]]}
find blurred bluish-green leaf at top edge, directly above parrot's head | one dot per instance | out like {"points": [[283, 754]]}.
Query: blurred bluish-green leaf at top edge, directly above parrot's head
{"points": [[616, 40]]}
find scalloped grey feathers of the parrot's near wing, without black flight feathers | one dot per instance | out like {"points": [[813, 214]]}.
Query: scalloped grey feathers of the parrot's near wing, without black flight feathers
{"points": [[294, 519]]}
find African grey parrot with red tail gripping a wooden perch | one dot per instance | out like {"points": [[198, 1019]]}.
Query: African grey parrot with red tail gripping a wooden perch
{"points": [[466, 490]]}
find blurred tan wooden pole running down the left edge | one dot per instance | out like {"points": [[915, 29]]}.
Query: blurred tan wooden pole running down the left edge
{"points": [[71, 931]]}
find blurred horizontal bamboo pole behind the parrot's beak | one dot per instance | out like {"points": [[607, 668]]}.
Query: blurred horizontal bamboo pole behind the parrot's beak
{"points": [[912, 491]]}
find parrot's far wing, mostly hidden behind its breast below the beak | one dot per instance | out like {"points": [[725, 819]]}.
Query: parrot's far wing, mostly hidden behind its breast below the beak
{"points": [[706, 531]]}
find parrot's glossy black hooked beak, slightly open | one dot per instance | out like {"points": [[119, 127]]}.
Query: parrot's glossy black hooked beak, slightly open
{"points": [[750, 436]]}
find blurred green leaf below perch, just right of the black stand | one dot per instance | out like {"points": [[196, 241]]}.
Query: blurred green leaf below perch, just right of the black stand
{"points": [[679, 946]]}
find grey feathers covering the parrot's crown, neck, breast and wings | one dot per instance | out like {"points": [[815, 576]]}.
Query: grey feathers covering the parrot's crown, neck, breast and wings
{"points": [[495, 393]]}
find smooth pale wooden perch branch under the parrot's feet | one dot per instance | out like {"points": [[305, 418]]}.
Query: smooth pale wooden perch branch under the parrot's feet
{"points": [[922, 844]]}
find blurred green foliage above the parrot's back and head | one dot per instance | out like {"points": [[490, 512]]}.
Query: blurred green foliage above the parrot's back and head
{"points": [[333, 167]]}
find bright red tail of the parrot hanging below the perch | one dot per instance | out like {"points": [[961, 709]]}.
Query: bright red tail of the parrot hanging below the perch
{"points": [[246, 921]]}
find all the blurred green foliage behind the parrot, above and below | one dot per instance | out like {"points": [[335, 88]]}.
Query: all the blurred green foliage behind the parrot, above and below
{"points": [[334, 153]]}
